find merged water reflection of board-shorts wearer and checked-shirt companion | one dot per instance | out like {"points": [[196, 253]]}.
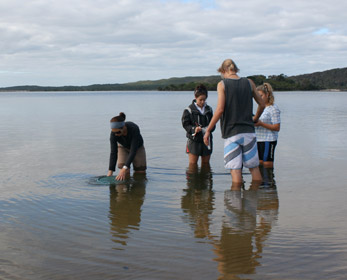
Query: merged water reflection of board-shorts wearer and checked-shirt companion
{"points": [[250, 215]]}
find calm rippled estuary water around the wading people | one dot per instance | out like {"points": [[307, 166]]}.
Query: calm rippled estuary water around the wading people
{"points": [[60, 220]]}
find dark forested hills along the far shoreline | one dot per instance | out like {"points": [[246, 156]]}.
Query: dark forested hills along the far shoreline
{"points": [[334, 79]]}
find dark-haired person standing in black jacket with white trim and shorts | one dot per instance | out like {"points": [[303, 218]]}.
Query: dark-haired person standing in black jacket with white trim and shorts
{"points": [[195, 119]]}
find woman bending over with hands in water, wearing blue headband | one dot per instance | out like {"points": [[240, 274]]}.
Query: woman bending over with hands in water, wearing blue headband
{"points": [[126, 147]]}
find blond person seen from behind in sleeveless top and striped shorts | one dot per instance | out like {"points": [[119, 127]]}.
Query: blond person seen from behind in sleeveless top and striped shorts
{"points": [[235, 109]]}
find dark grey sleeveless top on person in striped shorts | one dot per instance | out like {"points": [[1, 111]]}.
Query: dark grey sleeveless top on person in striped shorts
{"points": [[237, 116]]}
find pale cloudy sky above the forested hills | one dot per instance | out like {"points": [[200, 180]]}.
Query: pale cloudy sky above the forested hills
{"points": [[84, 42]]}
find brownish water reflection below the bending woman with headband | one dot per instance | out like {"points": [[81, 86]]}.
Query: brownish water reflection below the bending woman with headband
{"points": [[125, 207]]}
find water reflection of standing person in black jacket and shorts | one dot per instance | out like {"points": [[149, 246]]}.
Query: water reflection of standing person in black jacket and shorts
{"points": [[197, 202]]}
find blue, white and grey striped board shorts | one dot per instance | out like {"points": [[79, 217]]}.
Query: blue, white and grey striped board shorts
{"points": [[241, 150]]}
